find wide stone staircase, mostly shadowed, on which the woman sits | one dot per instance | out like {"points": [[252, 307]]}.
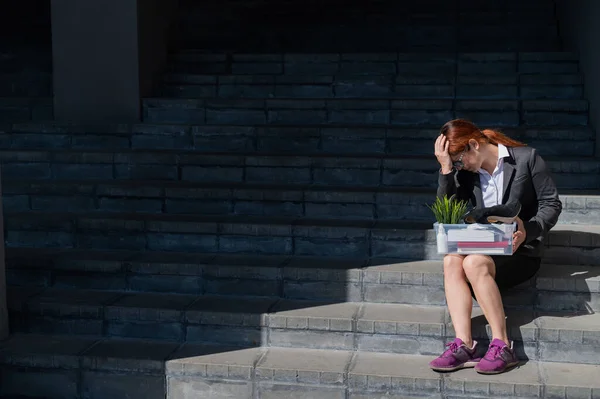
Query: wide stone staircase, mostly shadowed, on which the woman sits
{"points": [[263, 233]]}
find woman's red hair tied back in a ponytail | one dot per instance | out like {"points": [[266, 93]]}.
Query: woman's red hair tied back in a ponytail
{"points": [[460, 131]]}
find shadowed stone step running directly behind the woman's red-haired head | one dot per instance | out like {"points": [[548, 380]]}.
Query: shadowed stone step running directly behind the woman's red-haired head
{"points": [[367, 140]]}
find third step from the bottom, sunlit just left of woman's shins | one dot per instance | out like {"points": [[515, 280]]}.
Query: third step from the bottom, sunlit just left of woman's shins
{"points": [[302, 277]]}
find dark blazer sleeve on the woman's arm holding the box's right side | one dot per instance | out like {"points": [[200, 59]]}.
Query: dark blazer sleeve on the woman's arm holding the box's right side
{"points": [[549, 205]]}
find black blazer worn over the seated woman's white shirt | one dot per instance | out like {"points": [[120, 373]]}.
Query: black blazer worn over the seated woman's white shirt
{"points": [[527, 180]]}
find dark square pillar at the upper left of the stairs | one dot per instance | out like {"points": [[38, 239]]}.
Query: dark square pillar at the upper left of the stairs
{"points": [[106, 55]]}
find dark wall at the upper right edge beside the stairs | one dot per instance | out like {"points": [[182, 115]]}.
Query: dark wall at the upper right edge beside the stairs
{"points": [[580, 31]]}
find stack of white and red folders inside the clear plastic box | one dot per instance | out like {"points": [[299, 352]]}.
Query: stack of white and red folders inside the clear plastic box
{"points": [[479, 241]]}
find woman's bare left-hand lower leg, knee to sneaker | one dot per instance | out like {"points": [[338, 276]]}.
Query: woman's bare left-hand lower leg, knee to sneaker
{"points": [[458, 297]]}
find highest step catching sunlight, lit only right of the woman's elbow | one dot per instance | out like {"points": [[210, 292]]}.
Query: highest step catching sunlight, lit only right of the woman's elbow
{"points": [[309, 201]]}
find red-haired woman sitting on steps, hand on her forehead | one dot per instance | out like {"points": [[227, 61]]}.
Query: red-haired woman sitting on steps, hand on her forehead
{"points": [[487, 168]]}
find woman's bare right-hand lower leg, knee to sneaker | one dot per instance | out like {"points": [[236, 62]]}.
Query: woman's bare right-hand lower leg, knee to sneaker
{"points": [[480, 270]]}
